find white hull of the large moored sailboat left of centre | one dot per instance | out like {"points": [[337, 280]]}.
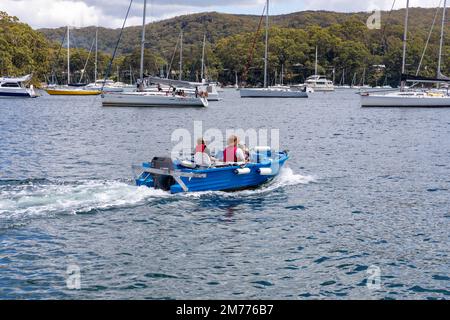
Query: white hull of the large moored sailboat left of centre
{"points": [[139, 99]]}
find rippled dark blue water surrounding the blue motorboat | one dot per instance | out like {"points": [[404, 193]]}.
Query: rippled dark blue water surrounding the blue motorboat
{"points": [[364, 189]]}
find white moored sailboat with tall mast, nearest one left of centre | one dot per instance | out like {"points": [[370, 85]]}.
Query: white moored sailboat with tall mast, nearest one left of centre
{"points": [[142, 98]]}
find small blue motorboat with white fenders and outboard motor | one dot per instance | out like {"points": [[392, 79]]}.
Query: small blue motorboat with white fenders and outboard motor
{"points": [[187, 176]]}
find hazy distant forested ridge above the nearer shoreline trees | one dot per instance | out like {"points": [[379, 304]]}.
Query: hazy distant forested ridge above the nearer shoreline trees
{"points": [[162, 35]]}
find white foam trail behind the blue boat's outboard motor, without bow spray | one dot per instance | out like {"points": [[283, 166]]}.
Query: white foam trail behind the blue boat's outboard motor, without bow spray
{"points": [[72, 198]]}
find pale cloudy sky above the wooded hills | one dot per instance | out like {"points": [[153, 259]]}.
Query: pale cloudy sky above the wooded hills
{"points": [[110, 13]]}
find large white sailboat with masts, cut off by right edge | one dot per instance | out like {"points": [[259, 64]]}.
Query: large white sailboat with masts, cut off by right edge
{"points": [[412, 98]]}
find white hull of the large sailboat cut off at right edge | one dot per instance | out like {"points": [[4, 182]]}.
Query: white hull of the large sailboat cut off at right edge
{"points": [[375, 100]]}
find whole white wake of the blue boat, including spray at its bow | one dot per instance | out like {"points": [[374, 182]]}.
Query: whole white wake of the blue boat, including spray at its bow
{"points": [[24, 199]]}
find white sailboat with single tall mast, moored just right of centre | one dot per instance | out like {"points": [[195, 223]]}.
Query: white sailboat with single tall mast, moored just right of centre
{"points": [[272, 92]]}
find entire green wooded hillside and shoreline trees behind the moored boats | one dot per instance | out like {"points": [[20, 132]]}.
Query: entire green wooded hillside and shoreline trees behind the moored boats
{"points": [[347, 49]]}
